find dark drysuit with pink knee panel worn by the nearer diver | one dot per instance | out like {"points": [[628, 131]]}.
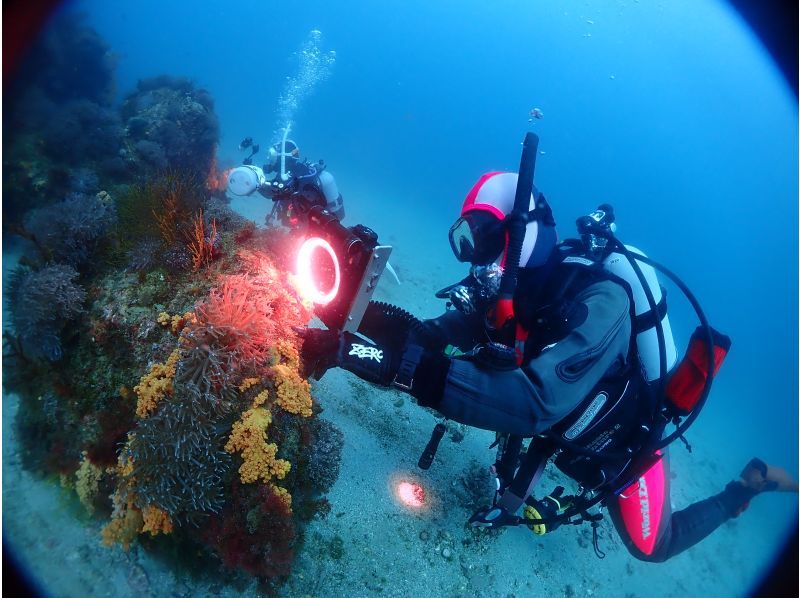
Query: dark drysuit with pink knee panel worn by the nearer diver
{"points": [[573, 345]]}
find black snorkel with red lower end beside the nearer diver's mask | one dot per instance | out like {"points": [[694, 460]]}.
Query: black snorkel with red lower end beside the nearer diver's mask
{"points": [[516, 222]]}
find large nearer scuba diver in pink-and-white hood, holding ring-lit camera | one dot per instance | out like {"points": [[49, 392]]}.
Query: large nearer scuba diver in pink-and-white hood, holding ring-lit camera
{"points": [[566, 344]]}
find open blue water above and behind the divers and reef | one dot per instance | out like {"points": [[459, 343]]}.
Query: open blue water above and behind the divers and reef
{"points": [[671, 111]]}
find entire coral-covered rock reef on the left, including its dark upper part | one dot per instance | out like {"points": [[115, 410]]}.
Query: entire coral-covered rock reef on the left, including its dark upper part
{"points": [[152, 342]]}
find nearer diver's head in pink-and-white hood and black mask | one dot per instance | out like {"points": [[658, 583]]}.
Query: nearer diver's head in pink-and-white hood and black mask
{"points": [[480, 236]]}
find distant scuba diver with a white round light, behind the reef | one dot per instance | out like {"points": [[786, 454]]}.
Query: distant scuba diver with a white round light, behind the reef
{"points": [[294, 185]]}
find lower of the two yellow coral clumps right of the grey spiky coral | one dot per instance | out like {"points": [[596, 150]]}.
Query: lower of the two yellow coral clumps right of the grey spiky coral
{"points": [[249, 438]]}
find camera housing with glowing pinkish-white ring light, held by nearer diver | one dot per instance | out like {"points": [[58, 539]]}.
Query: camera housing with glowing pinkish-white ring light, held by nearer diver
{"points": [[339, 268]]}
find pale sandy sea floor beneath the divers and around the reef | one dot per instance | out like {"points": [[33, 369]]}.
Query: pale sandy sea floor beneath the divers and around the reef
{"points": [[370, 543]]}
